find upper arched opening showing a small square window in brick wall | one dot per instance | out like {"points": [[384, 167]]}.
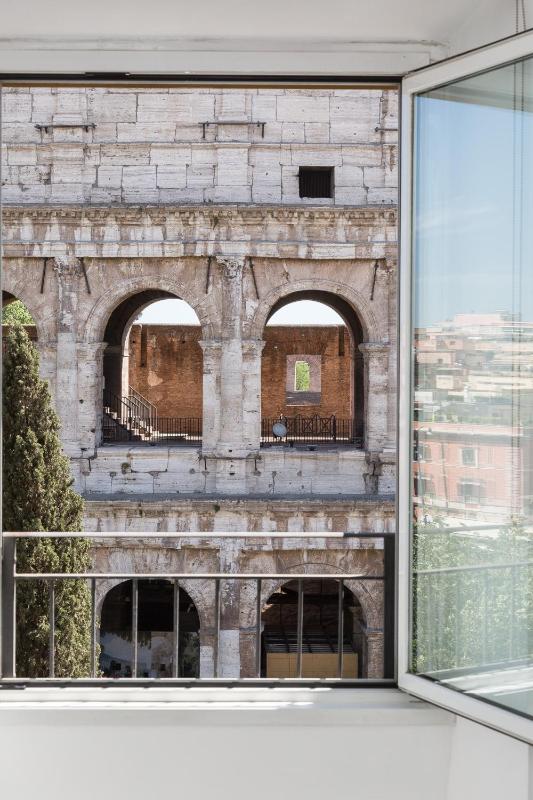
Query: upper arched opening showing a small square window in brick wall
{"points": [[312, 373]]}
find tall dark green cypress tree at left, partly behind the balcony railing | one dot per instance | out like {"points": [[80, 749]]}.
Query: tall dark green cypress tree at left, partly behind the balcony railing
{"points": [[38, 496]]}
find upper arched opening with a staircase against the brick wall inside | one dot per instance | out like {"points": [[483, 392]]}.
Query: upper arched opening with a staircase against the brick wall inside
{"points": [[152, 371]]}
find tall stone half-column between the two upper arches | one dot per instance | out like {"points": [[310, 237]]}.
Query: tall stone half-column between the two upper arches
{"points": [[231, 440]]}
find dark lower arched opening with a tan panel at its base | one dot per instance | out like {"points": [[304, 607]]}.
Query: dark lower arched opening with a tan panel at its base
{"points": [[320, 631]]}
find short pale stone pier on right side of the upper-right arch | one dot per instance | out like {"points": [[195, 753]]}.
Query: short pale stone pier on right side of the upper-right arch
{"points": [[376, 358]]}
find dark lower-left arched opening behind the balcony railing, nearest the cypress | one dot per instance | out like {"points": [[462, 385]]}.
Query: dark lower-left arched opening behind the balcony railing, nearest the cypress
{"points": [[157, 653]]}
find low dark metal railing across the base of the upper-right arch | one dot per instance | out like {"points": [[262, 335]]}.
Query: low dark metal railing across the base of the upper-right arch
{"points": [[311, 430]]}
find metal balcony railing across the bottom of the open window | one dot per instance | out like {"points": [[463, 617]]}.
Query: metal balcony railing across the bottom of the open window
{"points": [[259, 583]]}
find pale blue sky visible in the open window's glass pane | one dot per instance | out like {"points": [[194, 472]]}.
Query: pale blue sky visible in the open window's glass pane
{"points": [[468, 191]]}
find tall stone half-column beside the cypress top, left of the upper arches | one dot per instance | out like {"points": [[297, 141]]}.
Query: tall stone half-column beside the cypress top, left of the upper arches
{"points": [[68, 272]]}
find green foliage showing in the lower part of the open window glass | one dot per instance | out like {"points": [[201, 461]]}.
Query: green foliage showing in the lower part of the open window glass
{"points": [[473, 596]]}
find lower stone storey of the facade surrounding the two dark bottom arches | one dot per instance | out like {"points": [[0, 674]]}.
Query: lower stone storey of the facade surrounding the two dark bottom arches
{"points": [[290, 555]]}
